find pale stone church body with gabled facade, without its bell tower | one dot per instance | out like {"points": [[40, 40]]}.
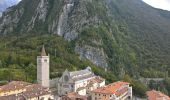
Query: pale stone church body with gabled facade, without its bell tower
{"points": [[79, 82]]}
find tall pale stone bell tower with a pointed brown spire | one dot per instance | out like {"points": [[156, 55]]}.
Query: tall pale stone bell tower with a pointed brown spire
{"points": [[43, 68]]}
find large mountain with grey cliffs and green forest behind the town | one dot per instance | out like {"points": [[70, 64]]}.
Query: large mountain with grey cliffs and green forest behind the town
{"points": [[125, 37]]}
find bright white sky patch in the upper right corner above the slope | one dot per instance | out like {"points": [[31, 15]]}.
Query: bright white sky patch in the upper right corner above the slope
{"points": [[161, 4]]}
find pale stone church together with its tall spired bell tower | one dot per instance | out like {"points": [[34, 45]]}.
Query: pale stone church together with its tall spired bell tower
{"points": [[81, 82]]}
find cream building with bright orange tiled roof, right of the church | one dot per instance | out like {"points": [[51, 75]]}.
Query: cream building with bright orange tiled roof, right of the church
{"points": [[115, 91]]}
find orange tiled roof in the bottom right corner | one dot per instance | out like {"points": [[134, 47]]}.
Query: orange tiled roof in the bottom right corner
{"points": [[155, 95]]}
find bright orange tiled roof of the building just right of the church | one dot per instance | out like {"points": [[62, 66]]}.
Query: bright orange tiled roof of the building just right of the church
{"points": [[112, 88]]}
